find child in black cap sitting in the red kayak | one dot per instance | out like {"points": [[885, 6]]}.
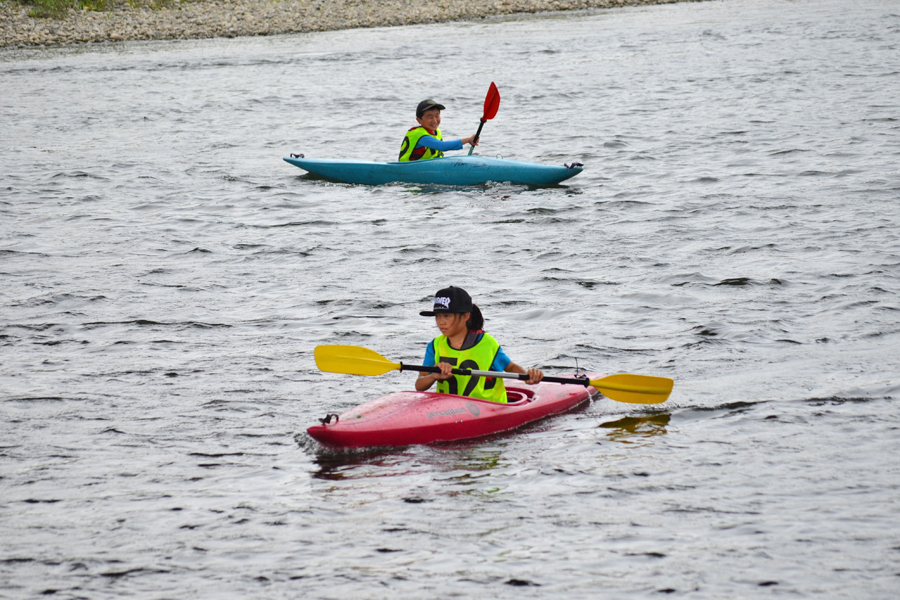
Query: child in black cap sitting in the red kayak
{"points": [[462, 344]]}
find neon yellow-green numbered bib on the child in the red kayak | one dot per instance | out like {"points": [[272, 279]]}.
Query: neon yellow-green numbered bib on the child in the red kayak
{"points": [[479, 357]]}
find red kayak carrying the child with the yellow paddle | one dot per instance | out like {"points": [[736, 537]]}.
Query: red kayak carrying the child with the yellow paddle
{"points": [[405, 418]]}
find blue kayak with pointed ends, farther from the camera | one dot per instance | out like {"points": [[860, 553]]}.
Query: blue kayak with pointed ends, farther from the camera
{"points": [[450, 170]]}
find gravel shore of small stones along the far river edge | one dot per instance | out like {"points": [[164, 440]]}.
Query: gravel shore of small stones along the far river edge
{"points": [[232, 18]]}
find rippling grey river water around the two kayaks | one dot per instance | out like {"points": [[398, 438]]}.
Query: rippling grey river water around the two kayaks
{"points": [[166, 276]]}
